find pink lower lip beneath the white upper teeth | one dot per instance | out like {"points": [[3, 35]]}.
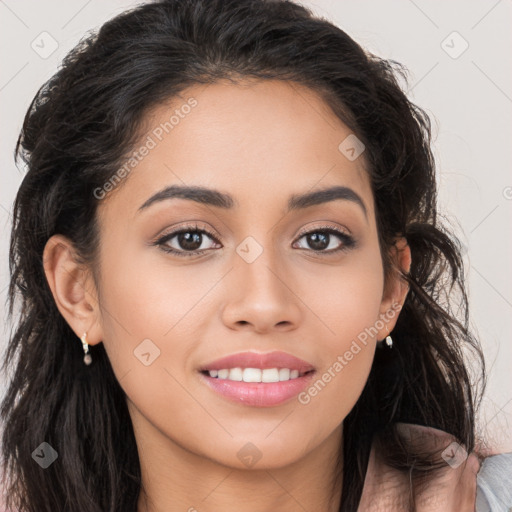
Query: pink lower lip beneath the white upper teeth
{"points": [[259, 394]]}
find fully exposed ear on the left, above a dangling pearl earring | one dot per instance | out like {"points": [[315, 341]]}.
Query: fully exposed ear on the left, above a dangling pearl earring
{"points": [[73, 288]]}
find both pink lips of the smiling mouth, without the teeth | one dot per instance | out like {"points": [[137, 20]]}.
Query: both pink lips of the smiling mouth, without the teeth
{"points": [[259, 394]]}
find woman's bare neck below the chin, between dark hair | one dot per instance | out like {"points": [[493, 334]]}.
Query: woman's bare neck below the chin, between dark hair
{"points": [[175, 479]]}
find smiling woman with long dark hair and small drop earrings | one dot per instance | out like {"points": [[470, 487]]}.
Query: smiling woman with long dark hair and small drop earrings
{"points": [[235, 292]]}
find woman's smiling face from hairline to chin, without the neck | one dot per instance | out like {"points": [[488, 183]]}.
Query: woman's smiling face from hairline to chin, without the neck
{"points": [[246, 279]]}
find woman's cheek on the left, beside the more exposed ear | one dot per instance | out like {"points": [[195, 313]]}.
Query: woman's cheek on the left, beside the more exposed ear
{"points": [[141, 305]]}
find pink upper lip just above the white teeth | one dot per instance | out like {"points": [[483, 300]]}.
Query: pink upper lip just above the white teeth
{"points": [[258, 360]]}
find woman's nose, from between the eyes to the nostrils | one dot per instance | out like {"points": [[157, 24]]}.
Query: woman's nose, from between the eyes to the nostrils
{"points": [[261, 296]]}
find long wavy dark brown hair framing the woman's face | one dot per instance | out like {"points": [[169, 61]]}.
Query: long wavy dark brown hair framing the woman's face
{"points": [[78, 129]]}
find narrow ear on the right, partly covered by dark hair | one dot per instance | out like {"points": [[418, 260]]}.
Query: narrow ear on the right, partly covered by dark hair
{"points": [[396, 288]]}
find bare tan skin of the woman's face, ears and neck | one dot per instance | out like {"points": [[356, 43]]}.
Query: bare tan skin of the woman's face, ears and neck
{"points": [[260, 142]]}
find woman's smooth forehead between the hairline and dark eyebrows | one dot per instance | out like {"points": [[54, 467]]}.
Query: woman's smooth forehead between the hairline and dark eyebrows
{"points": [[257, 140]]}
